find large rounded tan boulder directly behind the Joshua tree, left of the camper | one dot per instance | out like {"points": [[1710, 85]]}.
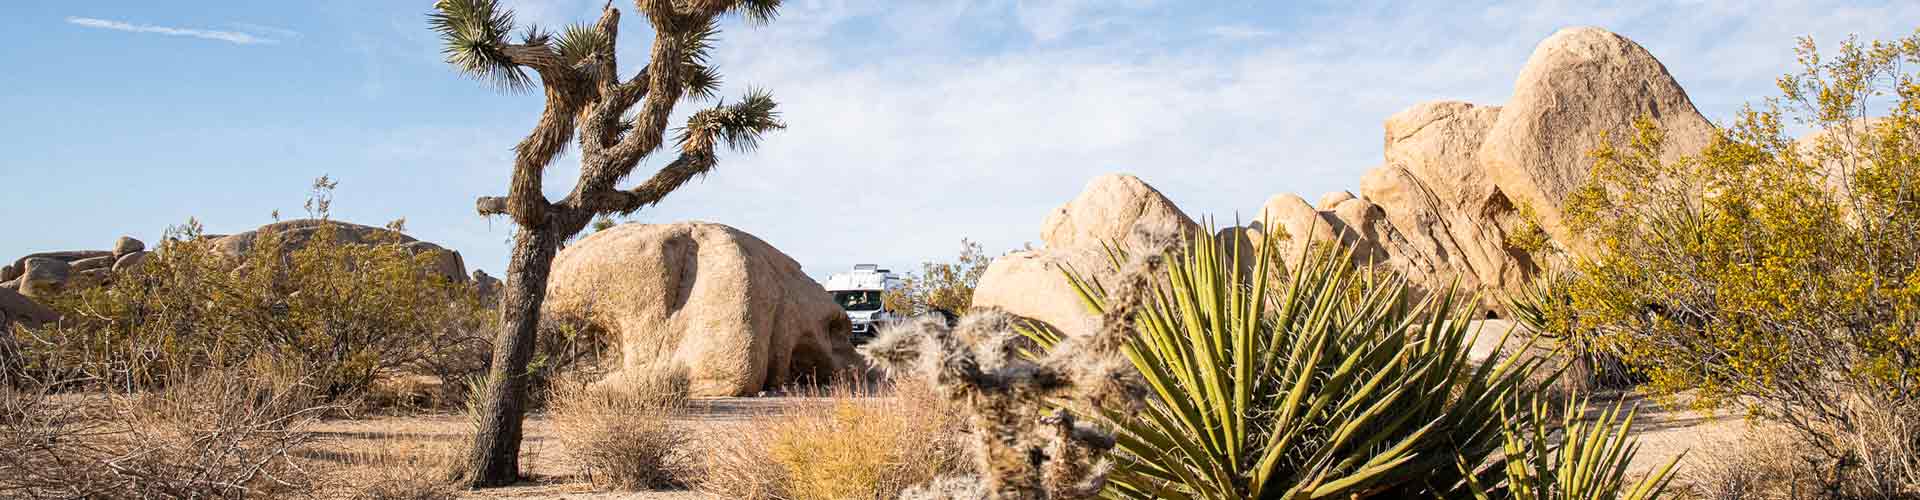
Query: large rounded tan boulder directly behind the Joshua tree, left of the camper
{"points": [[723, 305]]}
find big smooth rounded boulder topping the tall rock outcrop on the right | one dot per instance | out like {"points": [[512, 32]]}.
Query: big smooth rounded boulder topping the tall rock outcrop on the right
{"points": [[1577, 86]]}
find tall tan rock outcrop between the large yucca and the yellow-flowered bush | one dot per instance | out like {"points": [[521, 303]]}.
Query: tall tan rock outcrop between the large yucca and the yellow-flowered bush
{"points": [[1443, 207]]}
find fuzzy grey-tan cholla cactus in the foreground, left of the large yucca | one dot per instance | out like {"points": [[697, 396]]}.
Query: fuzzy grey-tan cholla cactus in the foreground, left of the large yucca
{"points": [[1024, 443]]}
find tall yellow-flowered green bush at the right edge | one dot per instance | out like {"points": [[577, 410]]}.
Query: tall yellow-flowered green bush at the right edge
{"points": [[1771, 272]]}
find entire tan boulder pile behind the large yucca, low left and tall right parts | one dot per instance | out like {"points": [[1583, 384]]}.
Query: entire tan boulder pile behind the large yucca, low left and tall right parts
{"points": [[1445, 203]]}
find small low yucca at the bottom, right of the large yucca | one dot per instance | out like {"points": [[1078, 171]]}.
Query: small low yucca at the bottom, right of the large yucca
{"points": [[1587, 462]]}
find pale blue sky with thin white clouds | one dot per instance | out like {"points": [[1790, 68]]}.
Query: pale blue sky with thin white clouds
{"points": [[913, 124]]}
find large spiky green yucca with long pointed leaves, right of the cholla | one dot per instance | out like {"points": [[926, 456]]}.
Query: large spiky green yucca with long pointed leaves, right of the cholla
{"points": [[1332, 387]]}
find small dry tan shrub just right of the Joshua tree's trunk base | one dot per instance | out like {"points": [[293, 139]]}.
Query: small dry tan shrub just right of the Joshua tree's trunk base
{"points": [[623, 434]]}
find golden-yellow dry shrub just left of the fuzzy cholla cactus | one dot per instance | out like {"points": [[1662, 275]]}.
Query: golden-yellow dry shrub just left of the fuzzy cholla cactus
{"points": [[844, 445]]}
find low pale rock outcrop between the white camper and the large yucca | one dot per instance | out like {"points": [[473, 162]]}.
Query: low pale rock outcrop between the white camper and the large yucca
{"points": [[1113, 211]]}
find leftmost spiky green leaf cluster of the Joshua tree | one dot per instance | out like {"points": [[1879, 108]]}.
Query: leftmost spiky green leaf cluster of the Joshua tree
{"points": [[475, 36]]}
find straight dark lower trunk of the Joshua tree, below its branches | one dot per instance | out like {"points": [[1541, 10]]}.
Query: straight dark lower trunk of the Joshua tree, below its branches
{"points": [[496, 449]]}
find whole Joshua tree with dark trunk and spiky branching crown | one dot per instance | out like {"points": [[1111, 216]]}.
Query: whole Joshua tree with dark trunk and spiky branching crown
{"points": [[587, 103]]}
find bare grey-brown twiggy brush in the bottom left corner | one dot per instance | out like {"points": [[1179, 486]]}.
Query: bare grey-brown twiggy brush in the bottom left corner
{"points": [[218, 436]]}
